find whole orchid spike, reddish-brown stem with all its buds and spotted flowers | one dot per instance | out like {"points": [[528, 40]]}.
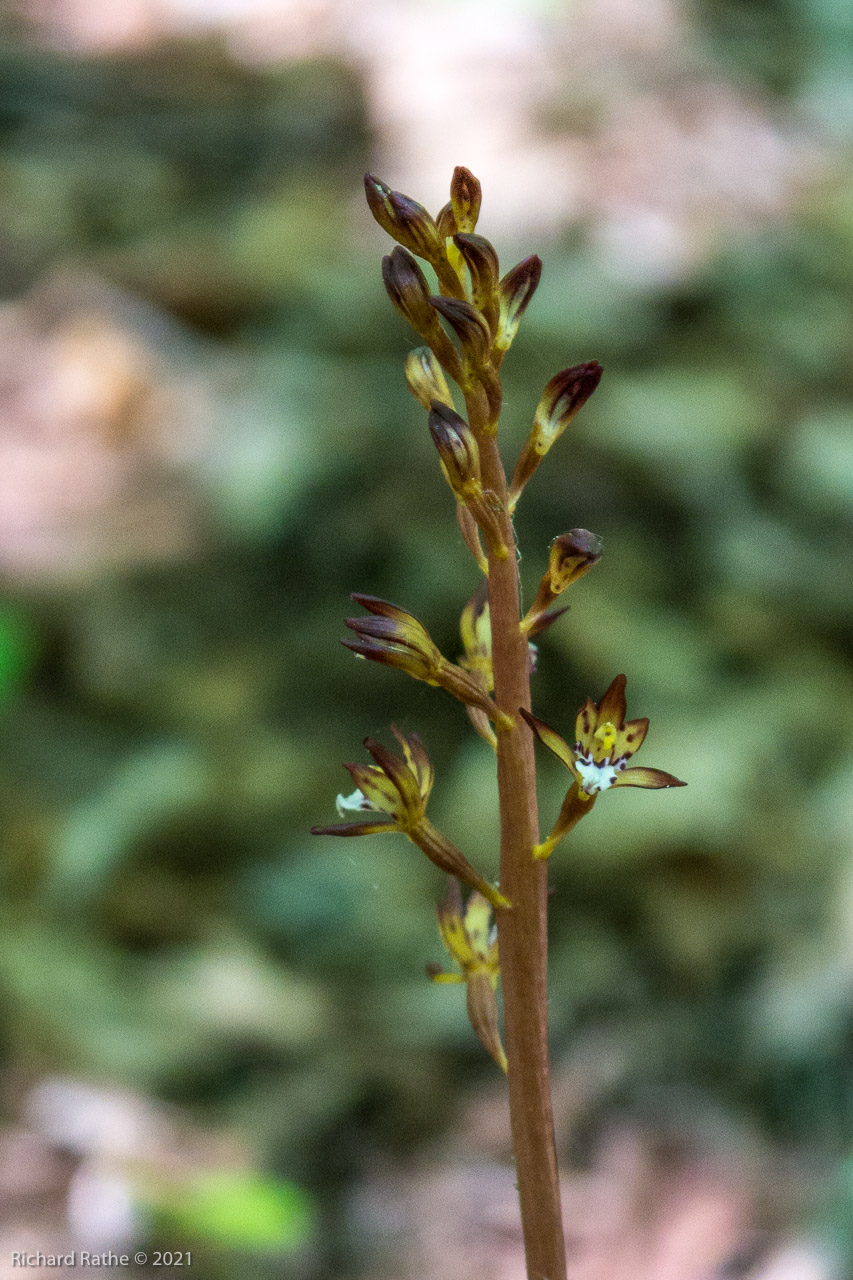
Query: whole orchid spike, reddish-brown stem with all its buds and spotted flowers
{"points": [[468, 327]]}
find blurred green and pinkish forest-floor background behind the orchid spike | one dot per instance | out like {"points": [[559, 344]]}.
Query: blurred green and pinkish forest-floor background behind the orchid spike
{"points": [[217, 1032]]}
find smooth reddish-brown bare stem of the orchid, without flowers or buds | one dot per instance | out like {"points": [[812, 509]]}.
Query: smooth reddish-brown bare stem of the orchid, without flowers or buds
{"points": [[522, 931]]}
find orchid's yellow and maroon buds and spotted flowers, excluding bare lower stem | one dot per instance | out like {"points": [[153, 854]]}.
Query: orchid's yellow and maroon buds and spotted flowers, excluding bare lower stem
{"points": [[467, 327]]}
